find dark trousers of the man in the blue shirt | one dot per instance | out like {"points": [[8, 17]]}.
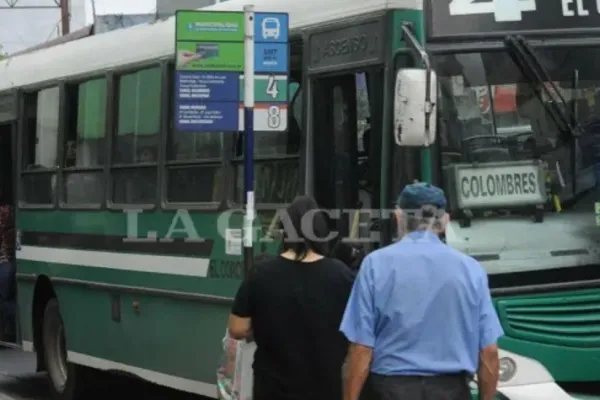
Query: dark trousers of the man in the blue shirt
{"points": [[440, 387]]}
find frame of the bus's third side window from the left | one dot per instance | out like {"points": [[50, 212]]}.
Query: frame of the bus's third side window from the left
{"points": [[113, 127]]}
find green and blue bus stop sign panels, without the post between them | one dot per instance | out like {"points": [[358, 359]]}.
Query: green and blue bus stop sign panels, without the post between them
{"points": [[209, 74]]}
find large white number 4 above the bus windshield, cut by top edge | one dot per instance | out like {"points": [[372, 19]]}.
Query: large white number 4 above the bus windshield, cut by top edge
{"points": [[503, 10]]}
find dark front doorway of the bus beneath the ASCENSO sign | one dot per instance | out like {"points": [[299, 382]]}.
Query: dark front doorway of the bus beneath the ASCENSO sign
{"points": [[347, 111]]}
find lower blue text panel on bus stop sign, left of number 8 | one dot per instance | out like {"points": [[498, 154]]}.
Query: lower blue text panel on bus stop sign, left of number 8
{"points": [[194, 116]]}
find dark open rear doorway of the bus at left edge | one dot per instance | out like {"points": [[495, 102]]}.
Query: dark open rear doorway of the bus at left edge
{"points": [[8, 126]]}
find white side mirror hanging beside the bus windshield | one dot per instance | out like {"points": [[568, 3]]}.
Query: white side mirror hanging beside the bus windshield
{"points": [[415, 110]]}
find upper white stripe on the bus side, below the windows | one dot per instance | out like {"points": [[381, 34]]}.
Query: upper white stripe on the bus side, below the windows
{"points": [[158, 264]]}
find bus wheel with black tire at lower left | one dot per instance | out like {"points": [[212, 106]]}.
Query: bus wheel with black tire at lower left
{"points": [[65, 378]]}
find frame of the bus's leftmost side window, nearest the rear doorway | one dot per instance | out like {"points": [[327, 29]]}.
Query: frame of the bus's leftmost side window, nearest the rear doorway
{"points": [[21, 125]]}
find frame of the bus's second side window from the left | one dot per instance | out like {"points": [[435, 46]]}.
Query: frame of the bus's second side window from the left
{"points": [[105, 169]]}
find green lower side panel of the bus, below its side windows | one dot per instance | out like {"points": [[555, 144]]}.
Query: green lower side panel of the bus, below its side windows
{"points": [[157, 310]]}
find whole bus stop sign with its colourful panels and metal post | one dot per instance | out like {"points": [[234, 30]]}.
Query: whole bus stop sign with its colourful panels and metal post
{"points": [[231, 76]]}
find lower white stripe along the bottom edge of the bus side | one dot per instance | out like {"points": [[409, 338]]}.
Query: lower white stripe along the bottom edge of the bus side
{"points": [[175, 382]]}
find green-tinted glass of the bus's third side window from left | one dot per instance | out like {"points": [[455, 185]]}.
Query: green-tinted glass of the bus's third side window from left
{"points": [[135, 146]]}
